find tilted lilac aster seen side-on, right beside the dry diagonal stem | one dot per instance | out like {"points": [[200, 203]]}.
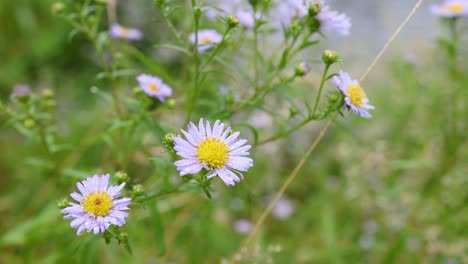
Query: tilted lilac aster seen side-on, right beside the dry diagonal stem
{"points": [[355, 98]]}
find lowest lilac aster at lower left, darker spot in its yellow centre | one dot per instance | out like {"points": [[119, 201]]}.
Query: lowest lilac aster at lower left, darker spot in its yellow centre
{"points": [[98, 206]]}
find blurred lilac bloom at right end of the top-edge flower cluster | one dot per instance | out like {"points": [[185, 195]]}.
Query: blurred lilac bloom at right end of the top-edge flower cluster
{"points": [[333, 21]]}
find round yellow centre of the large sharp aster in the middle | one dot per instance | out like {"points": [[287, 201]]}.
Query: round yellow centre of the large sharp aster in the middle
{"points": [[213, 152]]}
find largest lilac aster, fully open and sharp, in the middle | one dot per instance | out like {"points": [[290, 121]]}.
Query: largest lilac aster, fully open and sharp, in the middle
{"points": [[213, 149]]}
